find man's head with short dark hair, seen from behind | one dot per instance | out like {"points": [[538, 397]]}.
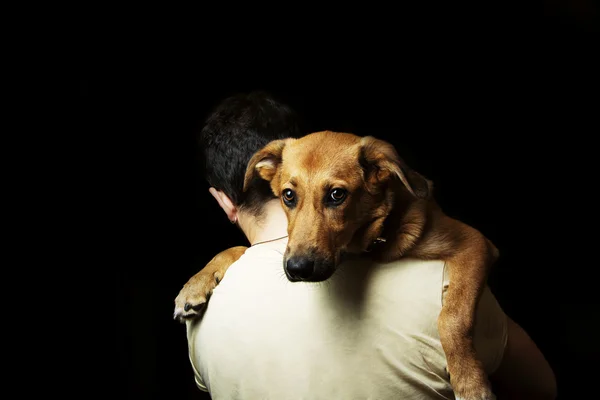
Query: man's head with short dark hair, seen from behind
{"points": [[238, 127]]}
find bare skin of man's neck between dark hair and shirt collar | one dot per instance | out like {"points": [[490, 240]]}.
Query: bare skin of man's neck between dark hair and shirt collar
{"points": [[273, 224]]}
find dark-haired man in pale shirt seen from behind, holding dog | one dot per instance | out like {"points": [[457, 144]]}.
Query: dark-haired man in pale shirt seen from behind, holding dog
{"points": [[370, 331]]}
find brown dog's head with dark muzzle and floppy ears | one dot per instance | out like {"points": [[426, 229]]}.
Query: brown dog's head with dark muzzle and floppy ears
{"points": [[336, 189]]}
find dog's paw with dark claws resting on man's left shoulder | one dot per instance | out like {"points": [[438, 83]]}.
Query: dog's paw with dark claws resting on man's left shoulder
{"points": [[192, 298]]}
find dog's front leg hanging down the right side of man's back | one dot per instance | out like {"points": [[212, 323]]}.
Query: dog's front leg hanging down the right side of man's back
{"points": [[468, 270]]}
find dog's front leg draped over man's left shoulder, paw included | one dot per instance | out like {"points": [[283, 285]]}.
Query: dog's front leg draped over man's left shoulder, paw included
{"points": [[197, 290]]}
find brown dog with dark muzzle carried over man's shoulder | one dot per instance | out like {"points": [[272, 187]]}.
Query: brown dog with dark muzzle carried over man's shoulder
{"points": [[348, 194]]}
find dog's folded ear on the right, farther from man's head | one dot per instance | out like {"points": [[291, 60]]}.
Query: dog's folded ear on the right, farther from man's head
{"points": [[381, 162]]}
